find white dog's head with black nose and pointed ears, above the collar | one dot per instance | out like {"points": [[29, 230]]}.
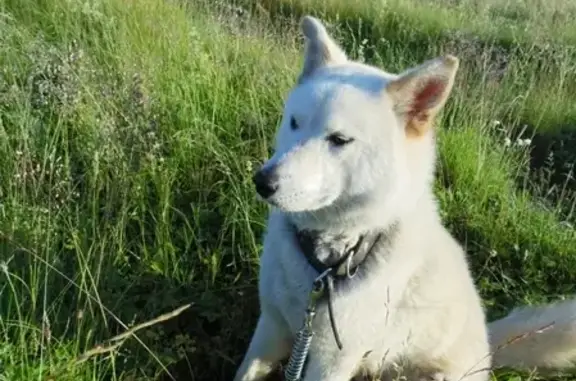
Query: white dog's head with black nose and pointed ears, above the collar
{"points": [[351, 132]]}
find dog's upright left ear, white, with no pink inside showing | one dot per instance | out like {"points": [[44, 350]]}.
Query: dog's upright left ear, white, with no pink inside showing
{"points": [[321, 49]]}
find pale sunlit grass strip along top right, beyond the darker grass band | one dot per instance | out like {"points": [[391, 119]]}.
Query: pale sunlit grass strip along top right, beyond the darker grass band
{"points": [[508, 21]]}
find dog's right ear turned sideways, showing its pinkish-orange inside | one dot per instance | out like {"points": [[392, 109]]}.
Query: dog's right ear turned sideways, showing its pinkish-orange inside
{"points": [[420, 93]]}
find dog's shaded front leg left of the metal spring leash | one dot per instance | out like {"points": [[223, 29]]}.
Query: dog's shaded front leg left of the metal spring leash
{"points": [[270, 344]]}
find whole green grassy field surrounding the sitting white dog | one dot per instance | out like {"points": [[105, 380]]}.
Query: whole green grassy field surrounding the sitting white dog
{"points": [[129, 130]]}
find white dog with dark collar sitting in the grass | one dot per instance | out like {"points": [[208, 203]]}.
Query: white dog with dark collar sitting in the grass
{"points": [[351, 178]]}
